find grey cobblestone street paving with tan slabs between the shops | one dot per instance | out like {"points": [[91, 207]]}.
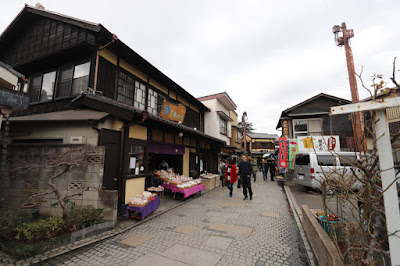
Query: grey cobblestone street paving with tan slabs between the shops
{"points": [[213, 229]]}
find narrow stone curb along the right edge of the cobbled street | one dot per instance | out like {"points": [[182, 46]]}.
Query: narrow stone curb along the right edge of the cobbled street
{"points": [[298, 216]]}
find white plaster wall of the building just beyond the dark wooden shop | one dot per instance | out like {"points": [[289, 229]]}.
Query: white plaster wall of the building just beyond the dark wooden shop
{"points": [[211, 120]]}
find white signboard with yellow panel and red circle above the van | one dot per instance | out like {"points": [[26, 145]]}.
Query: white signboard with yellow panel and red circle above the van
{"points": [[319, 143]]}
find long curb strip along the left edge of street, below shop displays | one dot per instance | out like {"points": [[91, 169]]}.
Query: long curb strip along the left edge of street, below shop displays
{"points": [[97, 238]]}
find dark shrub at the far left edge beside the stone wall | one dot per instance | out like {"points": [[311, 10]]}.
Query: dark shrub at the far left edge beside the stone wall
{"points": [[10, 219]]}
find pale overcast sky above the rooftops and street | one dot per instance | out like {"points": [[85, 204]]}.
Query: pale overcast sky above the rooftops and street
{"points": [[267, 55]]}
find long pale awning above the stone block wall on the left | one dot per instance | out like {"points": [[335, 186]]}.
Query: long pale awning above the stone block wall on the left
{"points": [[70, 115]]}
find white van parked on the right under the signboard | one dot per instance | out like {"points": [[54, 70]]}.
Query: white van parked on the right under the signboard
{"points": [[311, 168]]}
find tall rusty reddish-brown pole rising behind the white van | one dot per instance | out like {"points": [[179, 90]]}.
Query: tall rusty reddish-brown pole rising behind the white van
{"points": [[344, 41]]}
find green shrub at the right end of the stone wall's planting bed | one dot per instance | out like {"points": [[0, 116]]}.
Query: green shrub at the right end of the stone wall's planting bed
{"points": [[84, 216]]}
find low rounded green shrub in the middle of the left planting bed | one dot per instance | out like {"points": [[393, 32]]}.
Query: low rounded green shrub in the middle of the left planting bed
{"points": [[40, 229]]}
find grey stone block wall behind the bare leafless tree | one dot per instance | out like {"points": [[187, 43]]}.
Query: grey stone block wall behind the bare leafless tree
{"points": [[87, 176]]}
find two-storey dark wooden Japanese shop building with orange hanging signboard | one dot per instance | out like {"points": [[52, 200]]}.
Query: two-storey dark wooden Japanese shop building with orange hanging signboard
{"points": [[87, 86]]}
